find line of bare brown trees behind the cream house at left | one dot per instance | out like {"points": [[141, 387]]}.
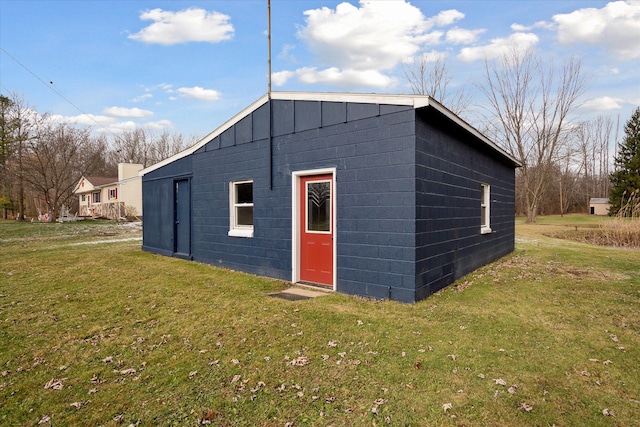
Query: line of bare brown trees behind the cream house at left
{"points": [[42, 160]]}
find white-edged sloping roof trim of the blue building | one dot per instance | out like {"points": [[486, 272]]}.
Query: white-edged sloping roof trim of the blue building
{"points": [[415, 101]]}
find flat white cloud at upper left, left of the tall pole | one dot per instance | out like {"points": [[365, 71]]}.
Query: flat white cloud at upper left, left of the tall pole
{"points": [[188, 25]]}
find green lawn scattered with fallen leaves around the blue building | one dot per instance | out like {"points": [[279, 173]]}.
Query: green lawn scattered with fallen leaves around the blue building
{"points": [[558, 321]]}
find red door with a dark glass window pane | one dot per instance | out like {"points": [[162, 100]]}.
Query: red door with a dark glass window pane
{"points": [[316, 229]]}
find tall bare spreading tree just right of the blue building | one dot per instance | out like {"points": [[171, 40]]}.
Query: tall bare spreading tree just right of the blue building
{"points": [[530, 105]]}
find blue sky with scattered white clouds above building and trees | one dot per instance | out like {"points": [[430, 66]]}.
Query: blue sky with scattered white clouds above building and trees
{"points": [[188, 66]]}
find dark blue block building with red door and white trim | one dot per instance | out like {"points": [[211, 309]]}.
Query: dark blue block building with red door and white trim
{"points": [[383, 196]]}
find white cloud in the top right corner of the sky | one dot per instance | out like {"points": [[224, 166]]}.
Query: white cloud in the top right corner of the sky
{"points": [[615, 27]]}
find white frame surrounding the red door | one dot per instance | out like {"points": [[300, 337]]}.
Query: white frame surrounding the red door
{"points": [[295, 220]]}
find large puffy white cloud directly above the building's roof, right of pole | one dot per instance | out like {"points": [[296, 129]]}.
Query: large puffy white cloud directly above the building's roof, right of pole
{"points": [[358, 45]]}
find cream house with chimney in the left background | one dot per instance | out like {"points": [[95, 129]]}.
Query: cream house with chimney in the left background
{"points": [[110, 197]]}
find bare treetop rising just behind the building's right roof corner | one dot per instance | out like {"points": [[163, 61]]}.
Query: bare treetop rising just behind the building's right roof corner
{"points": [[428, 74]]}
